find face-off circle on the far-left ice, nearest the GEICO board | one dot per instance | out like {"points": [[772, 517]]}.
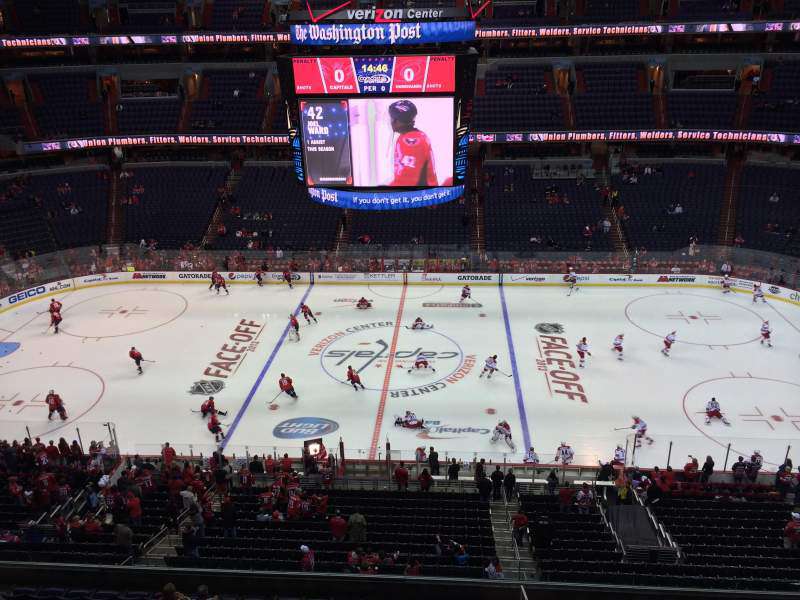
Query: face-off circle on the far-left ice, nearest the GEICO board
{"points": [[121, 313]]}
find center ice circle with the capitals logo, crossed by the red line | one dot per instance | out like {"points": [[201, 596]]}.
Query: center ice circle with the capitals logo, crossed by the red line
{"points": [[366, 348]]}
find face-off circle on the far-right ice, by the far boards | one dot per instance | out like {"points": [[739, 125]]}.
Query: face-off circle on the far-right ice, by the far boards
{"points": [[699, 320]]}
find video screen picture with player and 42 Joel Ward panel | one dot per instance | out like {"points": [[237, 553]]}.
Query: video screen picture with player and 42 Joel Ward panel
{"points": [[377, 142]]}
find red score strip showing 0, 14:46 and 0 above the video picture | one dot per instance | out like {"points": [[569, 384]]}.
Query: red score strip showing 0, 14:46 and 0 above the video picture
{"points": [[354, 75]]}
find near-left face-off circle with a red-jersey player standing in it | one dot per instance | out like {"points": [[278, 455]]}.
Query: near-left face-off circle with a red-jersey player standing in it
{"points": [[22, 400]]}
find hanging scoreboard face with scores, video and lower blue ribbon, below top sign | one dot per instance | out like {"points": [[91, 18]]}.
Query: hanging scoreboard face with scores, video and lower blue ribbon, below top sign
{"points": [[380, 132]]}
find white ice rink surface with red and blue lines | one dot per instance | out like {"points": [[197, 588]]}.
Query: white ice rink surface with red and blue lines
{"points": [[235, 348]]}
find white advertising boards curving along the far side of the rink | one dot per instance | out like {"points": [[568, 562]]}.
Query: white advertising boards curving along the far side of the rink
{"points": [[65, 286]]}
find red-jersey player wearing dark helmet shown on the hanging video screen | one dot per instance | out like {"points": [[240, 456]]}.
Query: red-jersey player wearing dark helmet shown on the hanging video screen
{"points": [[413, 154]]}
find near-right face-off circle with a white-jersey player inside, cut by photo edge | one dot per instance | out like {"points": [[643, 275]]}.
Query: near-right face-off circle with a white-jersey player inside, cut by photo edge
{"points": [[763, 414]]}
